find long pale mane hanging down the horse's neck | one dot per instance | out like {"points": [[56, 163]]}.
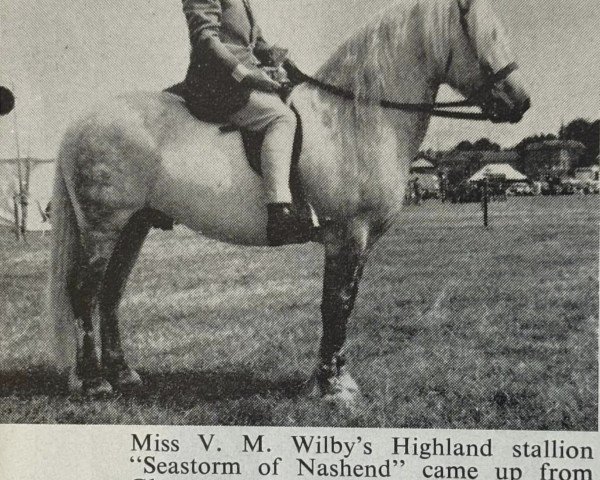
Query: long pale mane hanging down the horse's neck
{"points": [[398, 48]]}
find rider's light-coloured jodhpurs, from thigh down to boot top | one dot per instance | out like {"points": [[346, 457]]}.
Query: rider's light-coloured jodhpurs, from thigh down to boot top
{"points": [[266, 111]]}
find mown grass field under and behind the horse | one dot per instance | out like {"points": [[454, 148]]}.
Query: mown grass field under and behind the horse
{"points": [[455, 327]]}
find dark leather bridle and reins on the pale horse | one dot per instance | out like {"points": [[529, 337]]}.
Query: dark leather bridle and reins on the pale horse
{"points": [[436, 109]]}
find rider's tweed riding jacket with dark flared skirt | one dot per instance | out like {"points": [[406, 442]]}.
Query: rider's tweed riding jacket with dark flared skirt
{"points": [[223, 34]]}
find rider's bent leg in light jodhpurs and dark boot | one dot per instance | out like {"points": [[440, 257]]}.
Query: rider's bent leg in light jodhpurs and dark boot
{"points": [[267, 112]]}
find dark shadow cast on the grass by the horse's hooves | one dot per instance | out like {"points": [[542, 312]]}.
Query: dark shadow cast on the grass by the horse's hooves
{"points": [[182, 389]]}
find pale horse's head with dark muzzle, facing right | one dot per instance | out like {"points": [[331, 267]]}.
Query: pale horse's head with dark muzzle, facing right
{"points": [[480, 63]]}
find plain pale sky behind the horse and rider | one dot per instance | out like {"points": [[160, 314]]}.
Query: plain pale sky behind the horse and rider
{"points": [[61, 57]]}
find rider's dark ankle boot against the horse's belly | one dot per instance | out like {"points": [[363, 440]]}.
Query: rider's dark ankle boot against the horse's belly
{"points": [[284, 226]]}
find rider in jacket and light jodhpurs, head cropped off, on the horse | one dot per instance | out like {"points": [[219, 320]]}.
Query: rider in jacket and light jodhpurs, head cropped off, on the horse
{"points": [[226, 83]]}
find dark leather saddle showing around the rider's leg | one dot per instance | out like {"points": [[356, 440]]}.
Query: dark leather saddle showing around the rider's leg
{"points": [[252, 142]]}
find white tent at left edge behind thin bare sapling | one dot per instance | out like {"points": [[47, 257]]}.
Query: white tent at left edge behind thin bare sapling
{"points": [[41, 176]]}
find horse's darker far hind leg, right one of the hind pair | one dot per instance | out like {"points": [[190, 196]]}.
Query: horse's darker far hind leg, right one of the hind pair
{"points": [[121, 263]]}
